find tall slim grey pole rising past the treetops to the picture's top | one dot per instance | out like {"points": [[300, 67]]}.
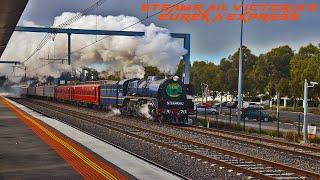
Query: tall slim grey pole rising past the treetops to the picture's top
{"points": [[240, 72]]}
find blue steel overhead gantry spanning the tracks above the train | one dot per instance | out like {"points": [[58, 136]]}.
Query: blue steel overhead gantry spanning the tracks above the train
{"points": [[184, 36]]}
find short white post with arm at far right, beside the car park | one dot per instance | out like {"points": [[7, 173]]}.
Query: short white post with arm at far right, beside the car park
{"points": [[305, 105]]}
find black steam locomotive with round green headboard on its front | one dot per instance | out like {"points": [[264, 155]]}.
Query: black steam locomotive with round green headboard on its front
{"points": [[167, 98]]}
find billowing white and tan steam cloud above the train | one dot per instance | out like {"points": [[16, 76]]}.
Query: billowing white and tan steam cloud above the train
{"points": [[126, 55]]}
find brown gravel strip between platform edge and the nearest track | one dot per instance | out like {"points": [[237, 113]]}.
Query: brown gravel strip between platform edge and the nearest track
{"points": [[180, 163]]}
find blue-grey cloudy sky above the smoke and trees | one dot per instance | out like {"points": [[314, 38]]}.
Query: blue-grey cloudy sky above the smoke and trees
{"points": [[209, 42]]}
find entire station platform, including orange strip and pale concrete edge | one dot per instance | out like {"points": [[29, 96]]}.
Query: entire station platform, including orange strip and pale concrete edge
{"points": [[36, 147]]}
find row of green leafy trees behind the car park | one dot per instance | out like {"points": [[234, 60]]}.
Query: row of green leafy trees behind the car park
{"points": [[279, 70]]}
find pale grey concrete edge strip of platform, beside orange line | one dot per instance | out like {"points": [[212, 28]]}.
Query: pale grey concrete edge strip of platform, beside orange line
{"points": [[132, 165]]}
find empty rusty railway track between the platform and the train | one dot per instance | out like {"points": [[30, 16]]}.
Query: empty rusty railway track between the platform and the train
{"points": [[249, 165]]}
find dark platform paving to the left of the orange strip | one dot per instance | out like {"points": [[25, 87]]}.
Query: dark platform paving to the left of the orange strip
{"points": [[24, 156]]}
